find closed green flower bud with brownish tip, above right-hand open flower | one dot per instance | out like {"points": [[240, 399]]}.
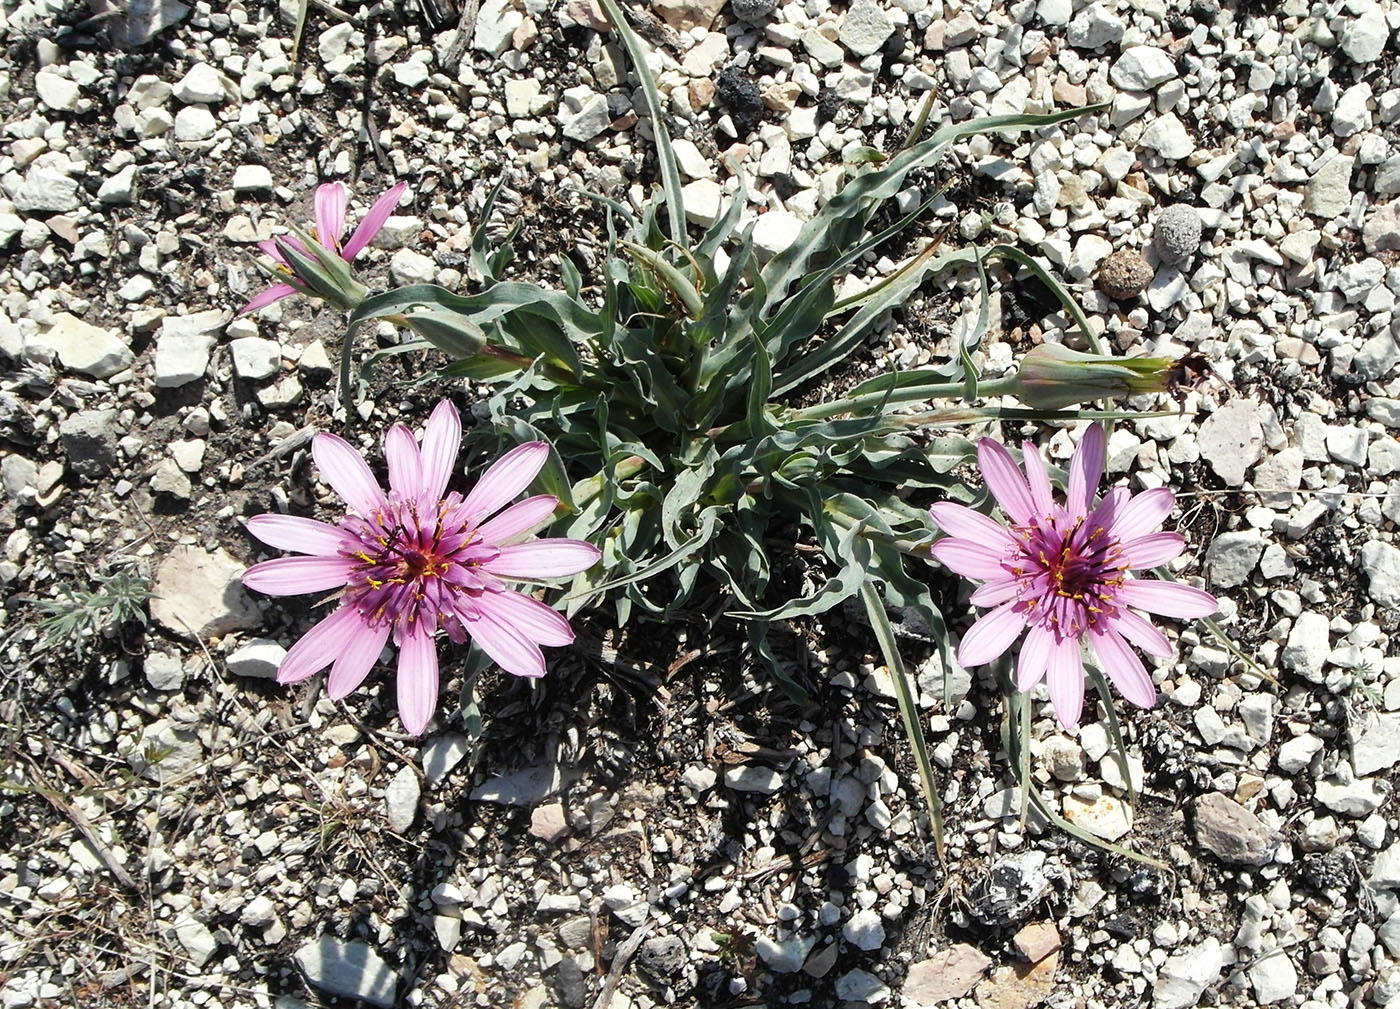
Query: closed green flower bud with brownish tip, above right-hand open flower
{"points": [[1053, 377]]}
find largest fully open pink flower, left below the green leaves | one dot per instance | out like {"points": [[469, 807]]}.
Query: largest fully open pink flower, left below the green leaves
{"points": [[412, 562]]}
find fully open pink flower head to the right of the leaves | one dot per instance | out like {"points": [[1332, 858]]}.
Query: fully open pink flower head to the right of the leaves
{"points": [[1062, 574]]}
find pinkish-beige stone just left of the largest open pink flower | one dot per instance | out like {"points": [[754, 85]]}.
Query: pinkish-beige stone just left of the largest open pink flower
{"points": [[201, 594]]}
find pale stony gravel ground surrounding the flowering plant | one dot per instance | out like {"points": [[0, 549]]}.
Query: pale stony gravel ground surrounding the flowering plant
{"points": [[652, 825]]}
